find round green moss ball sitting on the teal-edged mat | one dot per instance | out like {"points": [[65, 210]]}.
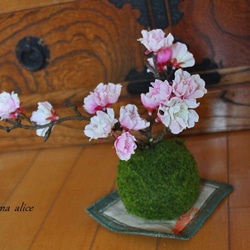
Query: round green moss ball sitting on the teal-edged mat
{"points": [[159, 183]]}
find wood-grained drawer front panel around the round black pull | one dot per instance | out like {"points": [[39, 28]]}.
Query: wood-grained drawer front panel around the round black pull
{"points": [[86, 42]]}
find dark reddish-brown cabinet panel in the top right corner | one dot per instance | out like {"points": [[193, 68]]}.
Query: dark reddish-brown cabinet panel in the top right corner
{"points": [[217, 30]]}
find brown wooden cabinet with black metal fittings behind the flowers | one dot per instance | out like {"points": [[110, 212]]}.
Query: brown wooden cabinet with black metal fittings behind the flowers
{"points": [[94, 41]]}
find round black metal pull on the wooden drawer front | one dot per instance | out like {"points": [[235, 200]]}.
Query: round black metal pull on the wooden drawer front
{"points": [[31, 54]]}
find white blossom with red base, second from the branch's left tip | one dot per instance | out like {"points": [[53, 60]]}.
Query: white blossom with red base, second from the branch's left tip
{"points": [[44, 115]]}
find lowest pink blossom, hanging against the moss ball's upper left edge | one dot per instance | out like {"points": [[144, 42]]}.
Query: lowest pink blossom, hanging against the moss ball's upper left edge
{"points": [[125, 146]]}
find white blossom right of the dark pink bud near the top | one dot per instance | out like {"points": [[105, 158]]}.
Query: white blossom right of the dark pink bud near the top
{"points": [[181, 57]]}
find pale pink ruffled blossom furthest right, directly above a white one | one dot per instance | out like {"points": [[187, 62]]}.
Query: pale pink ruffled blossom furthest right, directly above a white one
{"points": [[188, 86]]}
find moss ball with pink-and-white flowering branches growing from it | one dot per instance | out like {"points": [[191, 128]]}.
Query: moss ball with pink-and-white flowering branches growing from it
{"points": [[157, 178]]}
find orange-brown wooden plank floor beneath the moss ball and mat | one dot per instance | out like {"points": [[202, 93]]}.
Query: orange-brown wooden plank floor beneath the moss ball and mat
{"points": [[62, 183]]}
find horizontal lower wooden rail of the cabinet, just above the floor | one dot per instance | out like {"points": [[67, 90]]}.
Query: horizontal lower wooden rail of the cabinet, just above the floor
{"points": [[224, 108]]}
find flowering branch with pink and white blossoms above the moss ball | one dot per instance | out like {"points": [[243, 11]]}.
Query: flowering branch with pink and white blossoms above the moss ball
{"points": [[172, 96]]}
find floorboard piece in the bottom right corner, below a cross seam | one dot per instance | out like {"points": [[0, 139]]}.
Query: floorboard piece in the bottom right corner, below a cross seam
{"points": [[239, 228]]}
